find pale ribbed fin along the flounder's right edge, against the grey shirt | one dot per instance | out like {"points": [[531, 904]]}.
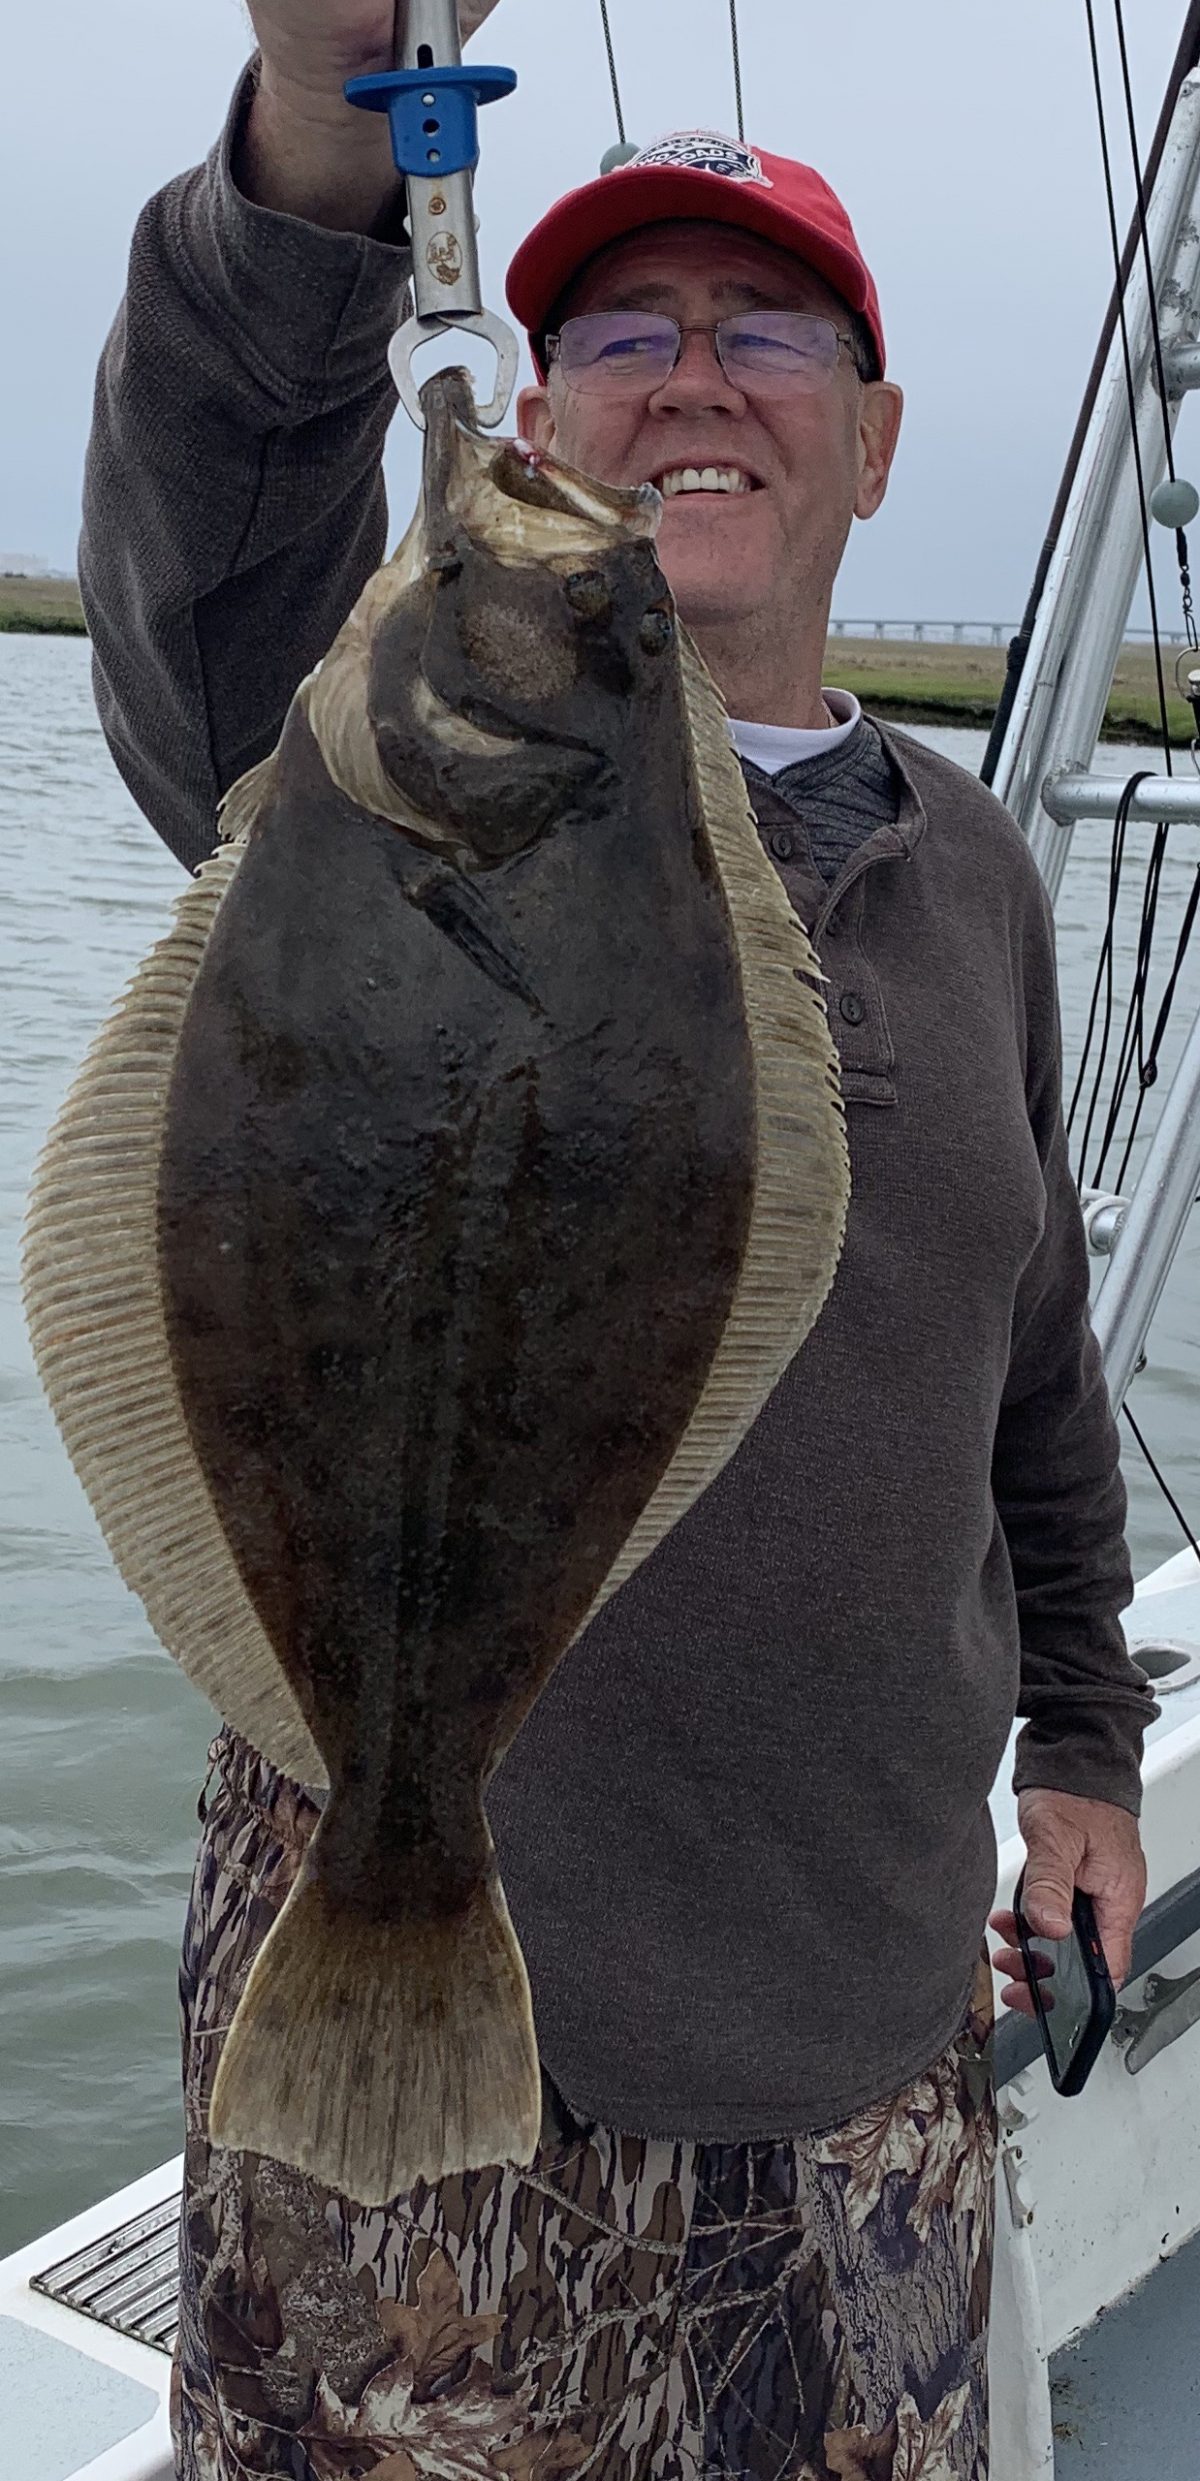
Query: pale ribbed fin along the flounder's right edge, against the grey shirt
{"points": [[802, 1190]]}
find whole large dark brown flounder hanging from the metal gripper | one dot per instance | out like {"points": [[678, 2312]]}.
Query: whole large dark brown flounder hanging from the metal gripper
{"points": [[423, 1234]]}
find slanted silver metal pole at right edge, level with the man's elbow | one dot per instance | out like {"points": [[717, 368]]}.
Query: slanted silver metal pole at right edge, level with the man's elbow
{"points": [[1154, 1229]]}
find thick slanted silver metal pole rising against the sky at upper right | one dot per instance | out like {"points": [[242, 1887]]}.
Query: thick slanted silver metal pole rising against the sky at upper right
{"points": [[1092, 582]]}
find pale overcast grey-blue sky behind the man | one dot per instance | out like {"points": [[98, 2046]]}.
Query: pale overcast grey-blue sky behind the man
{"points": [[961, 135]]}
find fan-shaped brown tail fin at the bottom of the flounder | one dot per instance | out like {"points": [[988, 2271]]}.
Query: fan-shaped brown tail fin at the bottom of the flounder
{"points": [[376, 2053]]}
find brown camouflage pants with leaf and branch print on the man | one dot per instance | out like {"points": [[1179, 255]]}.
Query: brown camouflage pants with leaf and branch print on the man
{"points": [[626, 2309]]}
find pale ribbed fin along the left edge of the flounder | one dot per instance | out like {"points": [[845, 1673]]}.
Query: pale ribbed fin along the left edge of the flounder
{"points": [[93, 1301]]}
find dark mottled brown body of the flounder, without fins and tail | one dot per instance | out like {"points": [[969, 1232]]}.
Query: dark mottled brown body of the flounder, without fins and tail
{"points": [[455, 1195]]}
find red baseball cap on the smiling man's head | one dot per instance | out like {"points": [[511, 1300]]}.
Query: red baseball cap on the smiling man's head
{"points": [[693, 175]]}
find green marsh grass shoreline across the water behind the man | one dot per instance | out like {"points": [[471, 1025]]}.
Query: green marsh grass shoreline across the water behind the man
{"points": [[914, 684]]}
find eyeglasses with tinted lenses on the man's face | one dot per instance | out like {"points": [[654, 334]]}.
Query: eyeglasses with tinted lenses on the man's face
{"points": [[767, 354]]}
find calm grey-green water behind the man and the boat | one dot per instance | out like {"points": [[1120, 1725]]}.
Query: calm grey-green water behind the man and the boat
{"points": [[103, 1743]]}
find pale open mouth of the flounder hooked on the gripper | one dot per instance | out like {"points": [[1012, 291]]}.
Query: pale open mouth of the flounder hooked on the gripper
{"points": [[512, 497]]}
